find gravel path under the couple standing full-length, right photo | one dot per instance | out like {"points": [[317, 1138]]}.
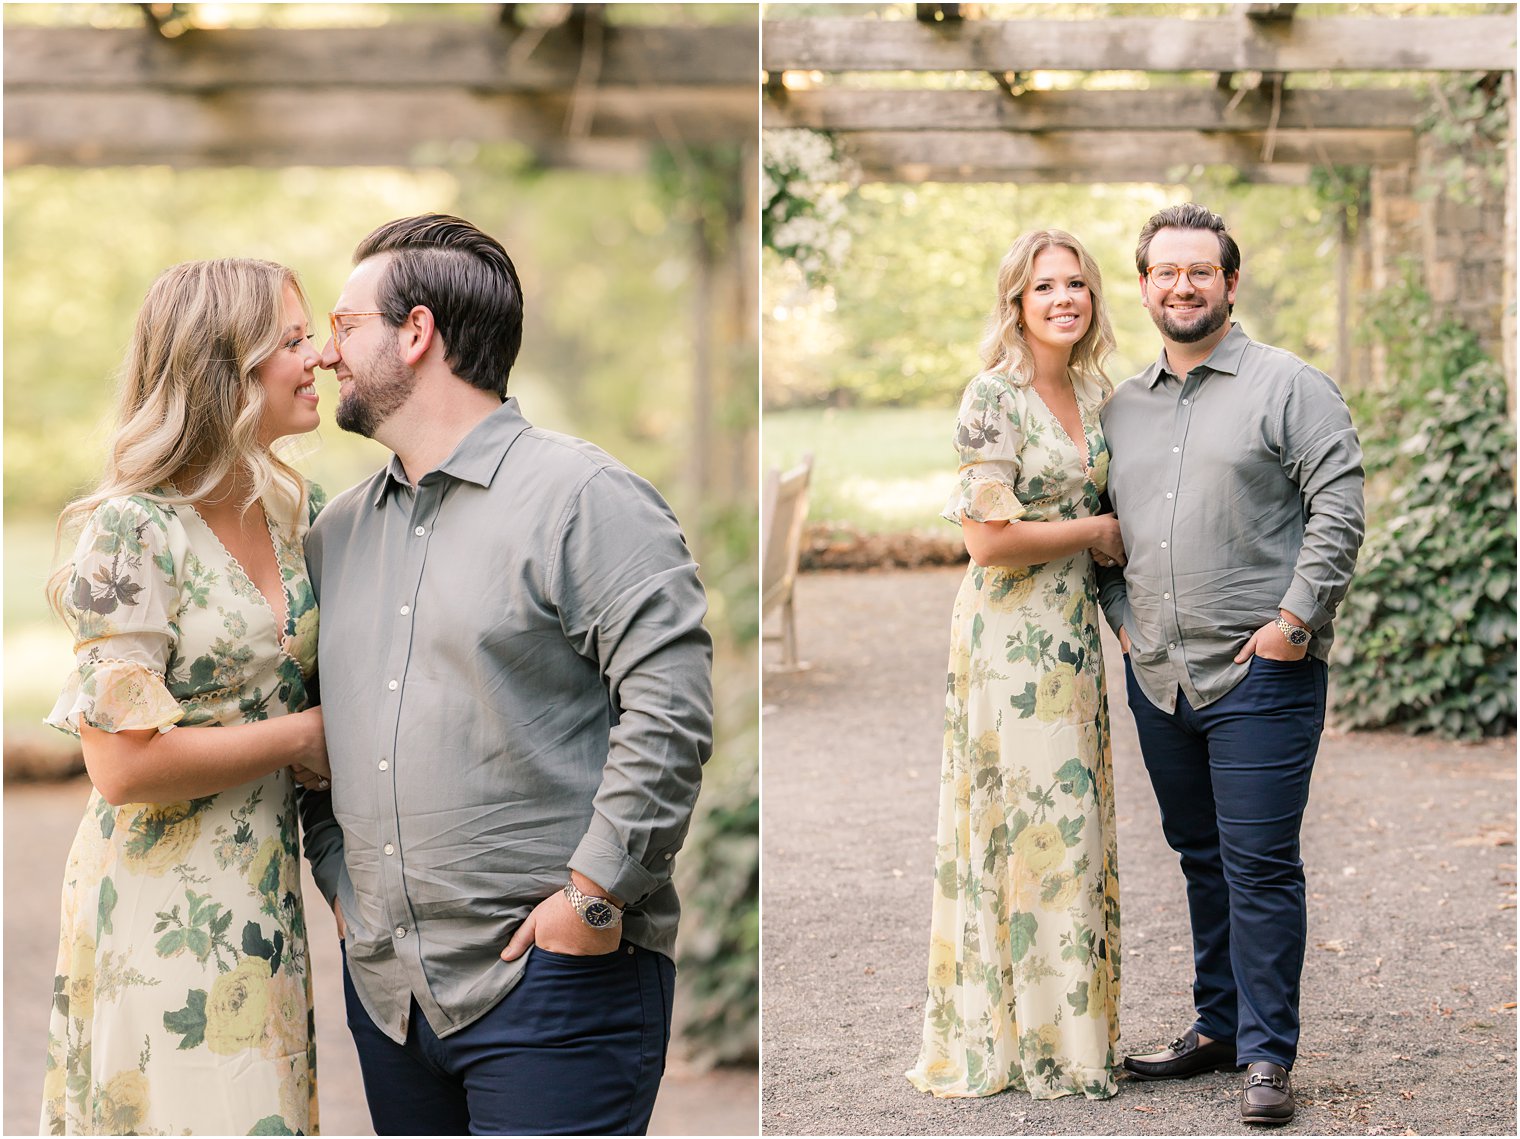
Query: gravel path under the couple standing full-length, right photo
{"points": [[1410, 985]]}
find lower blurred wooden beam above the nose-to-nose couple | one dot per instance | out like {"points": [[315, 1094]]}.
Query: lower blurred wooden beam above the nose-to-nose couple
{"points": [[355, 128]]}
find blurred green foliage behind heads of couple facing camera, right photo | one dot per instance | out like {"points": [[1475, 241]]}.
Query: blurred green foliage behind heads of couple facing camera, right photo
{"points": [[905, 313]]}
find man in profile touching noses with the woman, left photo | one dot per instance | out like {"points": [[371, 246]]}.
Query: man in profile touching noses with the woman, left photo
{"points": [[516, 685]]}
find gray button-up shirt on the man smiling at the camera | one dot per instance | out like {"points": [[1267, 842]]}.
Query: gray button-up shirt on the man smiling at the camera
{"points": [[1240, 492]]}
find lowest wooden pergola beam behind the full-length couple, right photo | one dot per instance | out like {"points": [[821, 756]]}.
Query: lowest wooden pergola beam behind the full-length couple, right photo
{"points": [[1100, 151]]}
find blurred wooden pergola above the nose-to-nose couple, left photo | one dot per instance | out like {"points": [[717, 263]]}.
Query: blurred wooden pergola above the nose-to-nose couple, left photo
{"points": [[584, 92]]}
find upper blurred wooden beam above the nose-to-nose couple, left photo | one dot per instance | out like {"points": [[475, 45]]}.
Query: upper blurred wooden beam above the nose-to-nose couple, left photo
{"points": [[492, 59]]}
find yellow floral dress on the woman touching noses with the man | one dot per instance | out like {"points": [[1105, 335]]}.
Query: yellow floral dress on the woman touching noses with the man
{"points": [[182, 1000]]}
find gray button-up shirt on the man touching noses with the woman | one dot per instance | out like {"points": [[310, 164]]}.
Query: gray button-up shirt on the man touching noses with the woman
{"points": [[516, 682]]}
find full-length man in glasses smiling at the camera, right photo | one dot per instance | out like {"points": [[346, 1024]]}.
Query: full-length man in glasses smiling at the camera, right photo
{"points": [[1238, 483]]}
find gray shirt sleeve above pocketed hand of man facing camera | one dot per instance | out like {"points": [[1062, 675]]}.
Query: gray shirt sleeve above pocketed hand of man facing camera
{"points": [[1323, 457]]}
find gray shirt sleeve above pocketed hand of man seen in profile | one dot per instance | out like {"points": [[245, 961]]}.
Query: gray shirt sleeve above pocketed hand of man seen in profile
{"points": [[630, 598]]}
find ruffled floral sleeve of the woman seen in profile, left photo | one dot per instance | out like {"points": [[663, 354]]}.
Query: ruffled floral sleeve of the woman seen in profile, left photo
{"points": [[121, 601]]}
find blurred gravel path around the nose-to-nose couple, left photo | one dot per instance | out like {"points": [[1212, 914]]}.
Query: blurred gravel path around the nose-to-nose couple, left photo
{"points": [[40, 822]]}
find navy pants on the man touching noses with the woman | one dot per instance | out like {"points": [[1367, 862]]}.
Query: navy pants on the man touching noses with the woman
{"points": [[577, 1049]]}
